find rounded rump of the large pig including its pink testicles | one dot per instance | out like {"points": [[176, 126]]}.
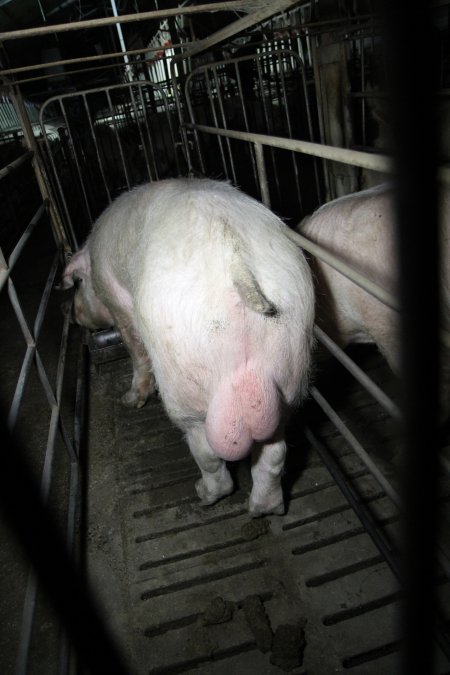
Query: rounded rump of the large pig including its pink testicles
{"points": [[217, 359]]}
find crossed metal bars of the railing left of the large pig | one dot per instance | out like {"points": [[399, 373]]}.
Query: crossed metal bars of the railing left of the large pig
{"points": [[48, 435]]}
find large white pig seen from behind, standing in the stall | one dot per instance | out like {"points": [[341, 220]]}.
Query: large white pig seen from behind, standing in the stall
{"points": [[205, 285]]}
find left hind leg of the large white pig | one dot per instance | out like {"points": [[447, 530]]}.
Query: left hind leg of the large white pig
{"points": [[216, 481]]}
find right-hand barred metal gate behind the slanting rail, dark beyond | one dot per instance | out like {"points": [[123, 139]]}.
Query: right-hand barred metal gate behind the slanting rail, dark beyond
{"points": [[266, 93]]}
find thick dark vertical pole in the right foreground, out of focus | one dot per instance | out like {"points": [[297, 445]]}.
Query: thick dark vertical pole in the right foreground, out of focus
{"points": [[414, 137]]}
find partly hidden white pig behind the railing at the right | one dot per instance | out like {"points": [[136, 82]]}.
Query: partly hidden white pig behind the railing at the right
{"points": [[360, 230]]}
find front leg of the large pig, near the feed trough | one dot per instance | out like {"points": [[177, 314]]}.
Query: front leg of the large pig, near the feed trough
{"points": [[143, 382]]}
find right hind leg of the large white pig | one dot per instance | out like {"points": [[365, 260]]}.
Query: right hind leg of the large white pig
{"points": [[267, 466]]}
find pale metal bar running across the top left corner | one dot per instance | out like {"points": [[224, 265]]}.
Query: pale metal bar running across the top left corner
{"points": [[235, 5]]}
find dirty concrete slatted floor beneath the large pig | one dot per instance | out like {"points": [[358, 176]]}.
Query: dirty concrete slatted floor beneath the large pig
{"points": [[169, 558]]}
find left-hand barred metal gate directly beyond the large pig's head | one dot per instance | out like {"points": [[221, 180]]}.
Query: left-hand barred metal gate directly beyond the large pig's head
{"points": [[110, 140]]}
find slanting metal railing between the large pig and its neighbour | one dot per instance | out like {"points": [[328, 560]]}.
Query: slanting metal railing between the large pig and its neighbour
{"points": [[376, 163]]}
